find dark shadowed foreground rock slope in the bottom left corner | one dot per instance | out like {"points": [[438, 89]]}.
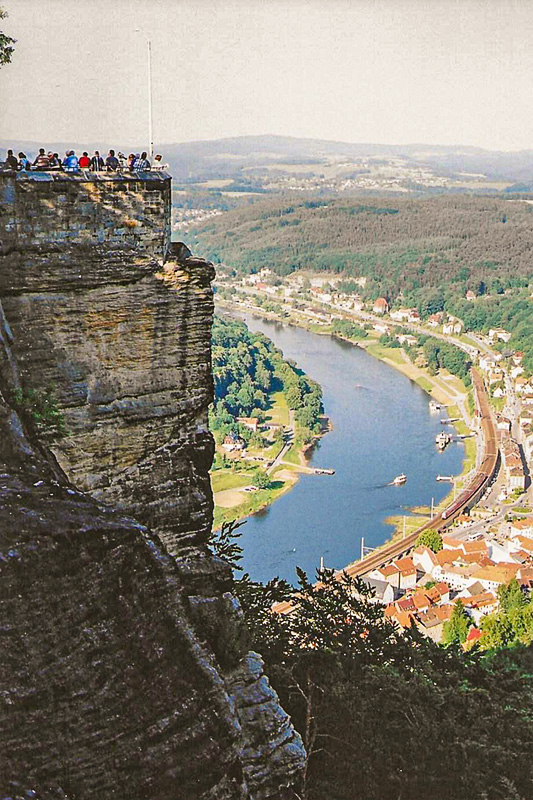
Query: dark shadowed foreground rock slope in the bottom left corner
{"points": [[106, 689]]}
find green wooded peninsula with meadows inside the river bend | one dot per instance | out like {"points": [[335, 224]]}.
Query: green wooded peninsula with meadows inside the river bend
{"points": [[267, 414]]}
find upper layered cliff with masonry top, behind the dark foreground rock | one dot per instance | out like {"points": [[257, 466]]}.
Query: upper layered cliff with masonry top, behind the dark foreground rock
{"points": [[123, 339]]}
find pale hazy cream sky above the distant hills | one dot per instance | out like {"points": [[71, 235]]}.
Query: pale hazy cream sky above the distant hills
{"points": [[383, 71]]}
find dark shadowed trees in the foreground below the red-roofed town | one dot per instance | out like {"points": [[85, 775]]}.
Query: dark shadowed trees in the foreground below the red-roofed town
{"points": [[387, 715]]}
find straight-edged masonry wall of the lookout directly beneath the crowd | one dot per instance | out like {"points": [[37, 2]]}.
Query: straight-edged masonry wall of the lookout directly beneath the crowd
{"points": [[45, 212]]}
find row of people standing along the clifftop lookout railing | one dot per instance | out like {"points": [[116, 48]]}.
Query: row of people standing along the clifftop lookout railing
{"points": [[46, 162]]}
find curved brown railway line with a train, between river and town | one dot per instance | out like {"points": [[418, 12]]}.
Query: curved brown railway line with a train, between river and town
{"points": [[466, 499]]}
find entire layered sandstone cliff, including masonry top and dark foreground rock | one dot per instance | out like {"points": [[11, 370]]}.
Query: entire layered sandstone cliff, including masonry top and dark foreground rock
{"points": [[127, 672]]}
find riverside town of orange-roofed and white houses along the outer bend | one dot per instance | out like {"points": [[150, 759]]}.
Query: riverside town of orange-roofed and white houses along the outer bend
{"points": [[489, 543]]}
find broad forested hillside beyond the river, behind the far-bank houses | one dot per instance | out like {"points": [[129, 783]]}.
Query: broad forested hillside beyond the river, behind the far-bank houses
{"points": [[424, 253]]}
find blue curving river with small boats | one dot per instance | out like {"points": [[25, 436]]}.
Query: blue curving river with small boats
{"points": [[382, 427]]}
